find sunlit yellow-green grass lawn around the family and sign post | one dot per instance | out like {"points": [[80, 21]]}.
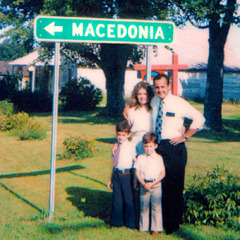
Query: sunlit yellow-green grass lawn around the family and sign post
{"points": [[82, 200]]}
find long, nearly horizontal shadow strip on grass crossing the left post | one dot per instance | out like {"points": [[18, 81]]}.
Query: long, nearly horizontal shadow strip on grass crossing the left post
{"points": [[42, 172]]}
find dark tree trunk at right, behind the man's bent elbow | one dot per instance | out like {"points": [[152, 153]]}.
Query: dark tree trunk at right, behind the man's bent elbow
{"points": [[218, 32]]}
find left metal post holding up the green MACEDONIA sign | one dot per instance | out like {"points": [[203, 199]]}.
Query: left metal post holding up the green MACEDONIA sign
{"points": [[54, 131]]}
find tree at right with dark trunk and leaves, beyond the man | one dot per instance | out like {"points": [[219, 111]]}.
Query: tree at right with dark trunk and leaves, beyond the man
{"points": [[217, 16]]}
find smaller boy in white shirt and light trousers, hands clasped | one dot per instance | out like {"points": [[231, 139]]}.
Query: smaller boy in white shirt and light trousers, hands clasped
{"points": [[150, 171]]}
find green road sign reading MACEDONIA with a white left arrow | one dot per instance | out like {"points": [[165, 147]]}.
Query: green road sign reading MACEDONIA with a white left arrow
{"points": [[66, 29]]}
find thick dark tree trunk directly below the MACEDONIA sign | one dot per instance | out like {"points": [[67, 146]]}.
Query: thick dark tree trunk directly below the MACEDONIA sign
{"points": [[114, 62]]}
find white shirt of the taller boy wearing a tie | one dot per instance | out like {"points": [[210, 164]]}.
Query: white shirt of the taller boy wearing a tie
{"points": [[126, 156]]}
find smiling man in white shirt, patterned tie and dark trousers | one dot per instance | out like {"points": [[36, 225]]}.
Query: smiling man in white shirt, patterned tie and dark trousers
{"points": [[168, 114]]}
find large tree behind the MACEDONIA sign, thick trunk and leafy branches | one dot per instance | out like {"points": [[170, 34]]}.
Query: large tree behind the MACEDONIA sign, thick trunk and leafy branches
{"points": [[112, 58]]}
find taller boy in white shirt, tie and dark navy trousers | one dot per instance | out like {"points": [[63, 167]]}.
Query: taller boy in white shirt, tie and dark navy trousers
{"points": [[121, 180]]}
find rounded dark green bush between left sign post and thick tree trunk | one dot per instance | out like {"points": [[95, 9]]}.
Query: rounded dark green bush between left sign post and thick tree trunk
{"points": [[80, 95]]}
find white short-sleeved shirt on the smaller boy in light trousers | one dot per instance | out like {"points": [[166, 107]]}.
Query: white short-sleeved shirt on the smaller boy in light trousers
{"points": [[150, 166]]}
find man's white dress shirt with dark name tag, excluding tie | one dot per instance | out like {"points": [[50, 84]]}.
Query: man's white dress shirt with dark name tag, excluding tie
{"points": [[175, 109]]}
